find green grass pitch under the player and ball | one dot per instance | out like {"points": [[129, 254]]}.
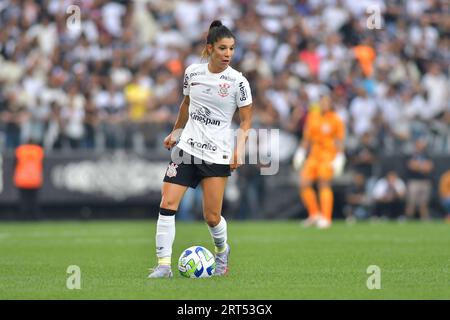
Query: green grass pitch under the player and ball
{"points": [[269, 260]]}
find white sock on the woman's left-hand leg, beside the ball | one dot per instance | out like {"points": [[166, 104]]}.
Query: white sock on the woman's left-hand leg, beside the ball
{"points": [[165, 235]]}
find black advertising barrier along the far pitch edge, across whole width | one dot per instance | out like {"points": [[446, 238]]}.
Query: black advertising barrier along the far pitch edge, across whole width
{"points": [[123, 180]]}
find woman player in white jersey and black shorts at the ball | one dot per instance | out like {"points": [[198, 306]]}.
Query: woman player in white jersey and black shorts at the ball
{"points": [[203, 154]]}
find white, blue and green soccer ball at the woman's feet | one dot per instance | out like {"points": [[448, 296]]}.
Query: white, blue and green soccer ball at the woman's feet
{"points": [[196, 262]]}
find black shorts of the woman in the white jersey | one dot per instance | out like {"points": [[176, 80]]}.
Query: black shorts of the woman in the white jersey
{"points": [[191, 170]]}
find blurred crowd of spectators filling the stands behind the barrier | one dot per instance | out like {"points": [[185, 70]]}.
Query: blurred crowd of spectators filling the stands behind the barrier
{"points": [[114, 80]]}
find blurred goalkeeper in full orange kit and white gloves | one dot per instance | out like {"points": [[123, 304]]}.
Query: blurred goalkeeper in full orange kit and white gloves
{"points": [[320, 157]]}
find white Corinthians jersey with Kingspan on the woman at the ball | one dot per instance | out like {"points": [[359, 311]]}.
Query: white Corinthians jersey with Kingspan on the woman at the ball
{"points": [[214, 98]]}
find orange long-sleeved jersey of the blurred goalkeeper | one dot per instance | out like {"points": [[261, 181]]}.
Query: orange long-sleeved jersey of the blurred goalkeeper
{"points": [[322, 131]]}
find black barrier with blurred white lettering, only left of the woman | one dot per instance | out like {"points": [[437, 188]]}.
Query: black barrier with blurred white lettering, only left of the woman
{"points": [[96, 179]]}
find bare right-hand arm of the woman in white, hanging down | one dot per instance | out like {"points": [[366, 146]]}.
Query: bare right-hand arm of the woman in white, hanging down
{"points": [[245, 116]]}
